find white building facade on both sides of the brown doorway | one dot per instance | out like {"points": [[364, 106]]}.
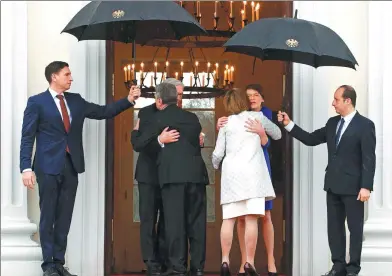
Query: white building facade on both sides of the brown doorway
{"points": [[30, 39]]}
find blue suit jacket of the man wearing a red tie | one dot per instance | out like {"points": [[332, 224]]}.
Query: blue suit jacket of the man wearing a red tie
{"points": [[42, 122]]}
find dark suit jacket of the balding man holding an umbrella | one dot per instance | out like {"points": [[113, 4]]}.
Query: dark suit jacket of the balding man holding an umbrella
{"points": [[351, 166]]}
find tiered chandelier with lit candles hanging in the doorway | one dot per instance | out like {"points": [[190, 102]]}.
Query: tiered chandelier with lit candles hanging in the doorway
{"points": [[206, 78]]}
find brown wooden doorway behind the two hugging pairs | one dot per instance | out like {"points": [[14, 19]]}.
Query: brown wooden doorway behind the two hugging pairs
{"points": [[122, 236]]}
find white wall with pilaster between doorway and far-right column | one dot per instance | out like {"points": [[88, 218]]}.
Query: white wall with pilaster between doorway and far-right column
{"points": [[313, 95]]}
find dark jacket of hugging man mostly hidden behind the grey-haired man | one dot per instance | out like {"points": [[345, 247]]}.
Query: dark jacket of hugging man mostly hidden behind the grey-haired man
{"points": [[146, 166]]}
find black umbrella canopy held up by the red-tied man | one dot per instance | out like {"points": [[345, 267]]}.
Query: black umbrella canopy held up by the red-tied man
{"points": [[129, 21]]}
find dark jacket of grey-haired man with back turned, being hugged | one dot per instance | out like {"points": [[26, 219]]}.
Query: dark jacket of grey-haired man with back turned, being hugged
{"points": [[179, 162]]}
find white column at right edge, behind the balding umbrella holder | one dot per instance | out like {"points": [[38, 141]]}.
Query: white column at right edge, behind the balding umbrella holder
{"points": [[377, 246]]}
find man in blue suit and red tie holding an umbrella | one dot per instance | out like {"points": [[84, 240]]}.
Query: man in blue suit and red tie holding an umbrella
{"points": [[55, 119]]}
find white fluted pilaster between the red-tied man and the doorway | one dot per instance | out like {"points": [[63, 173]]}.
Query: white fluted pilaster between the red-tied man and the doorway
{"points": [[85, 253]]}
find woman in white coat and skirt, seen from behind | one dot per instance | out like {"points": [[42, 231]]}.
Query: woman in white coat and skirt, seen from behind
{"points": [[245, 181]]}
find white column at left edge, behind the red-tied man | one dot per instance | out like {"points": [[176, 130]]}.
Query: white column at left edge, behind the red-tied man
{"points": [[20, 255]]}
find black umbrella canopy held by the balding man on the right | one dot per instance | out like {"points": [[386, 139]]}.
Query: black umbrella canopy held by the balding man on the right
{"points": [[292, 39]]}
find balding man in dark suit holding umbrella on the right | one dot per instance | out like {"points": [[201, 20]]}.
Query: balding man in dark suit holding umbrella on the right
{"points": [[351, 142]]}
